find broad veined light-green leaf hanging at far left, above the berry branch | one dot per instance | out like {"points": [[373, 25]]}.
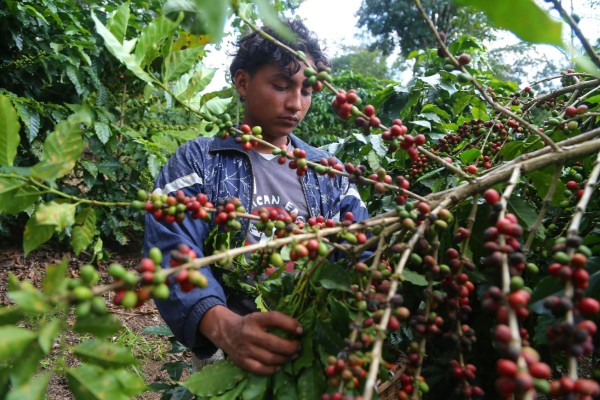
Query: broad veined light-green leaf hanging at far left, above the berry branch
{"points": [[64, 146]]}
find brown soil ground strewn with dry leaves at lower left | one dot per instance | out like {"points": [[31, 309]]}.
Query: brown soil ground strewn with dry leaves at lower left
{"points": [[150, 350]]}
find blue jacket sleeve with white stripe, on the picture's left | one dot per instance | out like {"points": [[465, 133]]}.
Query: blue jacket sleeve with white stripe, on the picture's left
{"points": [[183, 311]]}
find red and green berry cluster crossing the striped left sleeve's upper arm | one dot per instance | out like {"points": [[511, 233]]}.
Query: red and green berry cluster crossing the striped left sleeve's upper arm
{"points": [[173, 208]]}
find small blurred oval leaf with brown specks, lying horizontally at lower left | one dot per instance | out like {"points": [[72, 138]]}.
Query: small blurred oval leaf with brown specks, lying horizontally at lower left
{"points": [[103, 353]]}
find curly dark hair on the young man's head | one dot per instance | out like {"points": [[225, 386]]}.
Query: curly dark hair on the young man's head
{"points": [[254, 51]]}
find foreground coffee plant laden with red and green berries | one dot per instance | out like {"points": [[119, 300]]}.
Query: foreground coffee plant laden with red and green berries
{"points": [[475, 277]]}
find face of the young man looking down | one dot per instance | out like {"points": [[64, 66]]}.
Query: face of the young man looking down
{"points": [[275, 101]]}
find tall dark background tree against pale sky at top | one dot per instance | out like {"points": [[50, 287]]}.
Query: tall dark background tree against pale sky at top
{"points": [[396, 23]]}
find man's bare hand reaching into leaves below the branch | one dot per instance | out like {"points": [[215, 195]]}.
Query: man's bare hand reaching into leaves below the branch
{"points": [[247, 341]]}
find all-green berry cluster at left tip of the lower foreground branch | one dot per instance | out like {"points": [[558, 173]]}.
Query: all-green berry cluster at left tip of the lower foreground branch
{"points": [[82, 294]]}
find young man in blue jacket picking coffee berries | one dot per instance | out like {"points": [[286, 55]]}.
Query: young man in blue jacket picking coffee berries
{"points": [[269, 81]]}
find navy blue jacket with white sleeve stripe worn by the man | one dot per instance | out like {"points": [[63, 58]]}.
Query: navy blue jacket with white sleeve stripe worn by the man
{"points": [[222, 169]]}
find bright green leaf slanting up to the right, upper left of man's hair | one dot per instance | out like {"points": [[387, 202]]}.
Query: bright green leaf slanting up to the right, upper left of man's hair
{"points": [[151, 39]]}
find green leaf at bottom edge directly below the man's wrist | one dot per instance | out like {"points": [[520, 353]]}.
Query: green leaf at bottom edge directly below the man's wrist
{"points": [[215, 379]]}
